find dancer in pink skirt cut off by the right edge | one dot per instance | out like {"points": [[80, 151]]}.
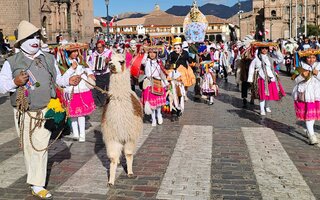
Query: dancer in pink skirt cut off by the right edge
{"points": [[306, 93]]}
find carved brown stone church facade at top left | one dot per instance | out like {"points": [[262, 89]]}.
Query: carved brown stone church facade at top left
{"points": [[72, 18]]}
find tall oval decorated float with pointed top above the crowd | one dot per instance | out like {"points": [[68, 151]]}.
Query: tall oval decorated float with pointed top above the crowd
{"points": [[195, 24]]}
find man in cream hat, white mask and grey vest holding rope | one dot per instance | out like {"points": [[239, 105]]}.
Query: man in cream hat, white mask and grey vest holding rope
{"points": [[35, 73]]}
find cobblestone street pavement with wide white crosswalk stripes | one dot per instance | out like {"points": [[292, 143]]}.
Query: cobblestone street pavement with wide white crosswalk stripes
{"points": [[213, 152]]}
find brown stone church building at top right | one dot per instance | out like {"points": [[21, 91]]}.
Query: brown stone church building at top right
{"points": [[272, 18]]}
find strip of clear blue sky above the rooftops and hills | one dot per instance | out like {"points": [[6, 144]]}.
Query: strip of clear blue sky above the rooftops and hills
{"points": [[121, 6]]}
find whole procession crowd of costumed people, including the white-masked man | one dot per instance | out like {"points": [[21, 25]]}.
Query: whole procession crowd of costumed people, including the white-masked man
{"points": [[63, 85]]}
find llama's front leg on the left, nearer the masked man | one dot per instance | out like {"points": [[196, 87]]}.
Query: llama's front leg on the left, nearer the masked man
{"points": [[114, 153]]}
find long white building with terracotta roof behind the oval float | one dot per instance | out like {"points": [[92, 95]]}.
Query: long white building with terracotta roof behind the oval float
{"points": [[160, 23]]}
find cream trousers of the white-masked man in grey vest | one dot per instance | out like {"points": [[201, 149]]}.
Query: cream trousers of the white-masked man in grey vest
{"points": [[36, 162]]}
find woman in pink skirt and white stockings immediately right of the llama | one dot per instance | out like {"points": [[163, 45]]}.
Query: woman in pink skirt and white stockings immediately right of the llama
{"points": [[154, 92]]}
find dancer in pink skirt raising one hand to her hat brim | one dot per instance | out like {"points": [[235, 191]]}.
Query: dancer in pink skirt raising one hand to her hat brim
{"points": [[269, 86]]}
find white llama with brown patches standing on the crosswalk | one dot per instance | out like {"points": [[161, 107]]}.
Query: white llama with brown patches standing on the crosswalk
{"points": [[122, 117]]}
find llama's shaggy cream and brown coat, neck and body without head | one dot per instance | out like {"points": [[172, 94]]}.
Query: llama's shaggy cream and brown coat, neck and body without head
{"points": [[122, 116]]}
